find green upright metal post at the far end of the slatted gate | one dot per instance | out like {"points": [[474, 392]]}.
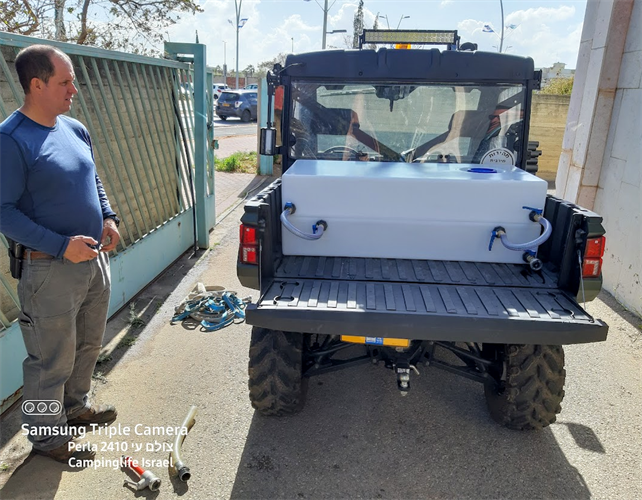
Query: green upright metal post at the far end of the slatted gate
{"points": [[196, 53]]}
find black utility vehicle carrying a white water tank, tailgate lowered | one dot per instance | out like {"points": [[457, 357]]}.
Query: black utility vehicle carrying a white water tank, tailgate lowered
{"points": [[409, 220]]}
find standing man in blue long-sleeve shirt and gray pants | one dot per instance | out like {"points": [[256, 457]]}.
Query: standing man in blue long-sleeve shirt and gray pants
{"points": [[53, 203]]}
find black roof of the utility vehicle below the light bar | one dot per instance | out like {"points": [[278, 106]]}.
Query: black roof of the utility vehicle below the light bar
{"points": [[411, 65]]}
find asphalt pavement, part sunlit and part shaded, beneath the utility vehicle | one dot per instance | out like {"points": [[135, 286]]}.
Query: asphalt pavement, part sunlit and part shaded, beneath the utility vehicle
{"points": [[357, 438]]}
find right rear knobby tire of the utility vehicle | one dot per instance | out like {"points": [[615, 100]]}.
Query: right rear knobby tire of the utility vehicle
{"points": [[526, 389]]}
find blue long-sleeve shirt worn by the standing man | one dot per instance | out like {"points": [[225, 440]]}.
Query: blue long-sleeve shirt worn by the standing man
{"points": [[49, 188]]}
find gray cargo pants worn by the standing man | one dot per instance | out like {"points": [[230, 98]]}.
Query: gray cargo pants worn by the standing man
{"points": [[63, 318]]}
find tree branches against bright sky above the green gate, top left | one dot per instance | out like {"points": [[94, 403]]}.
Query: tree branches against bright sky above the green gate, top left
{"points": [[133, 25]]}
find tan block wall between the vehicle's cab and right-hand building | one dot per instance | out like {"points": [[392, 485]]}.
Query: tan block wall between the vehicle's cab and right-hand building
{"points": [[548, 121]]}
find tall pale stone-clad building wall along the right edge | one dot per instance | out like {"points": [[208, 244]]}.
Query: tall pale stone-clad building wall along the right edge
{"points": [[600, 165]]}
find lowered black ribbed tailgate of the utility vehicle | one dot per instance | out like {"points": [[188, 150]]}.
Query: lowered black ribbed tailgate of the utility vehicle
{"points": [[505, 315]]}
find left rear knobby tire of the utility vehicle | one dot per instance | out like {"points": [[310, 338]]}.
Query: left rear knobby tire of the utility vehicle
{"points": [[276, 382]]}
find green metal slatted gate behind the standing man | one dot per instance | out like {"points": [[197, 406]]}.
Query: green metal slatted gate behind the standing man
{"points": [[151, 145]]}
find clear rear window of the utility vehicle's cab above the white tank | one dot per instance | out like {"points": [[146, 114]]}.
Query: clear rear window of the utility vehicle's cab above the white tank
{"points": [[412, 123]]}
